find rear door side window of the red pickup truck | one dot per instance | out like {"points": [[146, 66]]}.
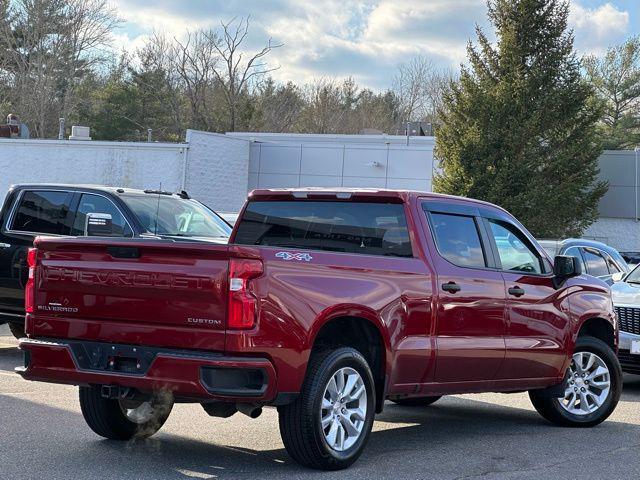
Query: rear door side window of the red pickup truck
{"points": [[458, 239]]}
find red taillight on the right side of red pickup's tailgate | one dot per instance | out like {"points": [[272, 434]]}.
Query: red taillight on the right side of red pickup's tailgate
{"points": [[242, 303]]}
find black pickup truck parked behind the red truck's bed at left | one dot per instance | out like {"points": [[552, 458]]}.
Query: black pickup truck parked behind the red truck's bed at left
{"points": [[64, 210]]}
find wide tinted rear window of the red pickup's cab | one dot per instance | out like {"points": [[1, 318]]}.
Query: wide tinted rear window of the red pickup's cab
{"points": [[350, 227]]}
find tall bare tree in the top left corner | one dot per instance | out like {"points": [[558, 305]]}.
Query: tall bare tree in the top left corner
{"points": [[48, 45]]}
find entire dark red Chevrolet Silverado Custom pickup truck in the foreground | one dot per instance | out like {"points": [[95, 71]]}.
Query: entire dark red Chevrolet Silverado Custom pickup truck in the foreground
{"points": [[324, 304]]}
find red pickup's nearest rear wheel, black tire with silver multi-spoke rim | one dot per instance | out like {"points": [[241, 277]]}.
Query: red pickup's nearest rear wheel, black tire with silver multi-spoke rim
{"points": [[329, 424]]}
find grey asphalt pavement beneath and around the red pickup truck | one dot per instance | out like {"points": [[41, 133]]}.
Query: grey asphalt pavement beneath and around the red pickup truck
{"points": [[457, 437]]}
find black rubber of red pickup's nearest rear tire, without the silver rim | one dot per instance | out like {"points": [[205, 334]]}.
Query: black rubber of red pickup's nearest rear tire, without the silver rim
{"points": [[300, 422]]}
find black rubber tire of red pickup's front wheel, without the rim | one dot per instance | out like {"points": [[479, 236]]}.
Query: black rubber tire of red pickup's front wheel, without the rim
{"points": [[551, 409]]}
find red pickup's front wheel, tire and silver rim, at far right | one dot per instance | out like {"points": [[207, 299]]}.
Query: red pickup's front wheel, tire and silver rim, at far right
{"points": [[592, 388]]}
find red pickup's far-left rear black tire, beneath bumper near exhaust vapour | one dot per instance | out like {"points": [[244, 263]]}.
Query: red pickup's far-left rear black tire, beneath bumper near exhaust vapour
{"points": [[106, 418]]}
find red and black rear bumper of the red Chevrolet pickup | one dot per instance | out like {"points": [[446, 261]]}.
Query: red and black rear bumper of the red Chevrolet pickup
{"points": [[189, 375]]}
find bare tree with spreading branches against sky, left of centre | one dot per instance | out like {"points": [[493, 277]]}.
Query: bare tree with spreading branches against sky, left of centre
{"points": [[236, 72]]}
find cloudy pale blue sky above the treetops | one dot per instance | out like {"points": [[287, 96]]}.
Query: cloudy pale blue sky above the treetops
{"points": [[364, 39]]}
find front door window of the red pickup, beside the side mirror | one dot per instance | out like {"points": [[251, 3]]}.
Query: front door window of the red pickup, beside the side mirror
{"points": [[513, 249]]}
